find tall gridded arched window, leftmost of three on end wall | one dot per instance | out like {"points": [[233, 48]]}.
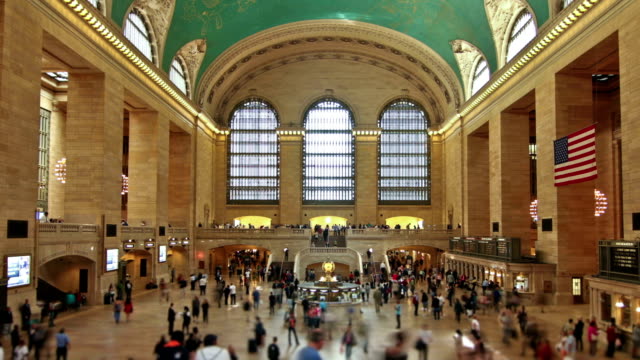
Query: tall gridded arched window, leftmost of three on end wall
{"points": [[254, 154]]}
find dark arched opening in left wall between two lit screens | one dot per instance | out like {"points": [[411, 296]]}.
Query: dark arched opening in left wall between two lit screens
{"points": [[67, 275]]}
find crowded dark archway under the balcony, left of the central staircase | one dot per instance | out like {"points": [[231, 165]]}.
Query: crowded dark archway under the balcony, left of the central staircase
{"points": [[233, 260]]}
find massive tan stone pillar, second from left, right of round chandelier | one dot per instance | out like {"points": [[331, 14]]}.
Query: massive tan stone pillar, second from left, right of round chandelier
{"points": [[94, 149]]}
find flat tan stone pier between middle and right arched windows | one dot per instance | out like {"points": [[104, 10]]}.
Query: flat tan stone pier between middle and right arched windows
{"points": [[366, 179]]}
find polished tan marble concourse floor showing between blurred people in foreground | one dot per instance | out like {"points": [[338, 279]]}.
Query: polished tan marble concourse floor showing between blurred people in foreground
{"points": [[94, 335]]}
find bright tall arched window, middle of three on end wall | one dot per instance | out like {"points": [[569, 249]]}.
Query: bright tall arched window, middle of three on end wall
{"points": [[328, 169]]}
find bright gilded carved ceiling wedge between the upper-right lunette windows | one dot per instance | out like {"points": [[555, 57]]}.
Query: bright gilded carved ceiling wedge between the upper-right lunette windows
{"points": [[500, 13]]}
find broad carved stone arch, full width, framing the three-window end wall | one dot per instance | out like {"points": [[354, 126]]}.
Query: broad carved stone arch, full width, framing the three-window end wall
{"points": [[368, 41]]}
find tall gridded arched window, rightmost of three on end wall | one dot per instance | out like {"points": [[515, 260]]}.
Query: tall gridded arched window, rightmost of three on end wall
{"points": [[404, 155]]}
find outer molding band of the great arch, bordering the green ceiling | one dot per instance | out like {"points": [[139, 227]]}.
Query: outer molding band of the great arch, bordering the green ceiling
{"points": [[368, 36]]}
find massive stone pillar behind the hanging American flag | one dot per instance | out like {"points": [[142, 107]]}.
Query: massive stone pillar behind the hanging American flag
{"points": [[572, 245]]}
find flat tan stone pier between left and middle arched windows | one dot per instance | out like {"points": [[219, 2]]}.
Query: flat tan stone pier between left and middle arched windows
{"points": [[291, 177]]}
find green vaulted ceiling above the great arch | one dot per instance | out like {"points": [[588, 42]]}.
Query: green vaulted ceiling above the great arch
{"points": [[225, 22]]}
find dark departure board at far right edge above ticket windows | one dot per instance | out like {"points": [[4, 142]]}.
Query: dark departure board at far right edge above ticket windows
{"points": [[619, 260]]}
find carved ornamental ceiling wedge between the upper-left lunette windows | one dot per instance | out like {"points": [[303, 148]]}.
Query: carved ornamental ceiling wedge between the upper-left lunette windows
{"points": [[159, 14]]}
